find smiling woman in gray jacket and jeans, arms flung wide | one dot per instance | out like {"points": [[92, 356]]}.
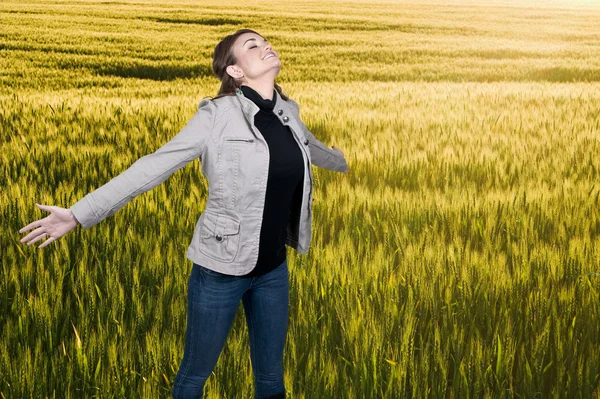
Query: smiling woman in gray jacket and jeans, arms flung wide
{"points": [[256, 154]]}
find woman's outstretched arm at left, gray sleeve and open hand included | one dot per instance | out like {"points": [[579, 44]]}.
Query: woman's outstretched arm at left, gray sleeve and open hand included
{"points": [[143, 175]]}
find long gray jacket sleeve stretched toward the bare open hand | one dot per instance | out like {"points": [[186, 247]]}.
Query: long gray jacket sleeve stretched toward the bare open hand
{"points": [[148, 171]]}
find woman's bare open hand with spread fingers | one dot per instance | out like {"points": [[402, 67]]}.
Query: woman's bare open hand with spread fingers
{"points": [[57, 224]]}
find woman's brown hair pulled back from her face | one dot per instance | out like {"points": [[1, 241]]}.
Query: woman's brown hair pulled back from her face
{"points": [[223, 57]]}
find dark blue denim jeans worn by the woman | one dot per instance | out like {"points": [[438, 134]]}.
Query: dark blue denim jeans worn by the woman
{"points": [[213, 300]]}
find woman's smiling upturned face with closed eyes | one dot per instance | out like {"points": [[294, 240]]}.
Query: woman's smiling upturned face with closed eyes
{"points": [[255, 58]]}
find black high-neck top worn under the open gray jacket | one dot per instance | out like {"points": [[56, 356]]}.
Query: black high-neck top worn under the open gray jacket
{"points": [[284, 183]]}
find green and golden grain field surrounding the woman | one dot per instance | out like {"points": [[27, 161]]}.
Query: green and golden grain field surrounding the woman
{"points": [[459, 258]]}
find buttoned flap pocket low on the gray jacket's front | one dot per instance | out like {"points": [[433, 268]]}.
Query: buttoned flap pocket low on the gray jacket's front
{"points": [[219, 236]]}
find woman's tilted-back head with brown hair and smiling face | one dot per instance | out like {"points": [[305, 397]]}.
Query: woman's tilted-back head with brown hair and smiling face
{"points": [[238, 59]]}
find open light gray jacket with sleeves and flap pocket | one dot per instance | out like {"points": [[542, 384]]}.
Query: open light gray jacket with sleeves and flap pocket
{"points": [[235, 160]]}
